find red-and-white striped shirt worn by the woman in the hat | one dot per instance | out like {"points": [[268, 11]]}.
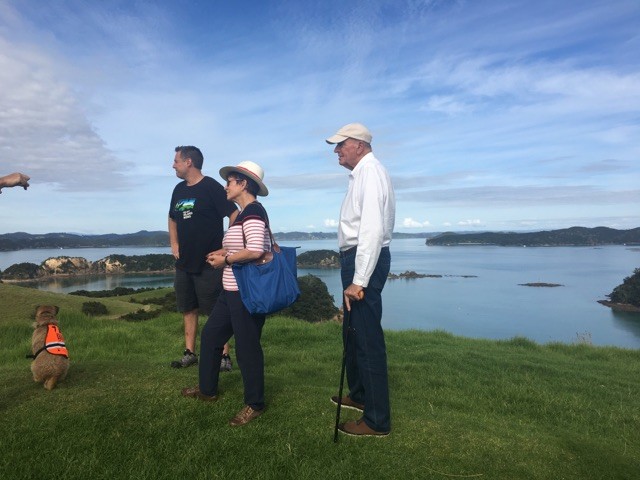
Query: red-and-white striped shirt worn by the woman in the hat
{"points": [[252, 222]]}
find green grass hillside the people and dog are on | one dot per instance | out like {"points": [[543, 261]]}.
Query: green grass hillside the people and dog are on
{"points": [[461, 408]]}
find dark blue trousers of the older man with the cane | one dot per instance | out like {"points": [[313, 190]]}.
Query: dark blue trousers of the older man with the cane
{"points": [[366, 350]]}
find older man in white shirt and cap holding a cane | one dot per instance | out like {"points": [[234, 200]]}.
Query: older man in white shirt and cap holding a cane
{"points": [[367, 217]]}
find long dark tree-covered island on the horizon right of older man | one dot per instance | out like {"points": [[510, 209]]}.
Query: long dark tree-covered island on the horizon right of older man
{"points": [[574, 236]]}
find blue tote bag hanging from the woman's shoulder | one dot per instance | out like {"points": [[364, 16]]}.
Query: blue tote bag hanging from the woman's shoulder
{"points": [[270, 283]]}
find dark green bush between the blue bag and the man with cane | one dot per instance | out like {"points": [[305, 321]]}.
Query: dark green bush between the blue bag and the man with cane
{"points": [[315, 303]]}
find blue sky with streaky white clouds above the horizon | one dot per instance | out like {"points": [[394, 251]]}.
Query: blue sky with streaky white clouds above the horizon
{"points": [[489, 114]]}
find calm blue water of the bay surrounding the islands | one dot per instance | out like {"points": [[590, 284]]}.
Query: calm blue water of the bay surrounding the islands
{"points": [[478, 296]]}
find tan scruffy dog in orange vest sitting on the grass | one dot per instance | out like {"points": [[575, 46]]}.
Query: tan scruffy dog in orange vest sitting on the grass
{"points": [[49, 352]]}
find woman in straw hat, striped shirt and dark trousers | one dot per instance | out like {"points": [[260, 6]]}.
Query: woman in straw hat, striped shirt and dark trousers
{"points": [[245, 240]]}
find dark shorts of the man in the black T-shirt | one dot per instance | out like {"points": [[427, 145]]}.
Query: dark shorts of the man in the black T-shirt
{"points": [[198, 290]]}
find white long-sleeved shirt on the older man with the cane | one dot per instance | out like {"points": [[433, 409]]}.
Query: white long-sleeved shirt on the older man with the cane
{"points": [[367, 216]]}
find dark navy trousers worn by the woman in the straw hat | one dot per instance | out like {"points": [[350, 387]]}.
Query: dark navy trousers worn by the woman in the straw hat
{"points": [[228, 318]]}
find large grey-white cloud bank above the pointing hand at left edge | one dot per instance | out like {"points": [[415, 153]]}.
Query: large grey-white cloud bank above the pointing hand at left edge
{"points": [[45, 131]]}
